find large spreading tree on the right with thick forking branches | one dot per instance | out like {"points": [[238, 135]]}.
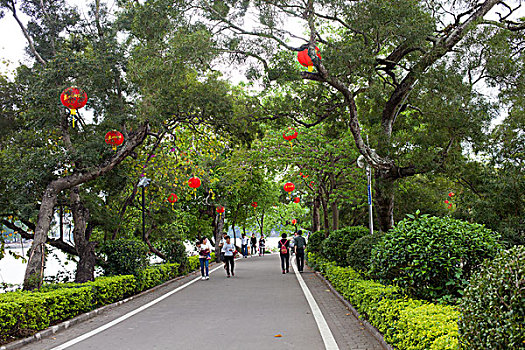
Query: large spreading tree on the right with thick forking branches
{"points": [[397, 71]]}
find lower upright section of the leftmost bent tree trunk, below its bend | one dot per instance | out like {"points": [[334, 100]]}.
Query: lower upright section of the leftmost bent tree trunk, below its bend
{"points": [[35, 265]]}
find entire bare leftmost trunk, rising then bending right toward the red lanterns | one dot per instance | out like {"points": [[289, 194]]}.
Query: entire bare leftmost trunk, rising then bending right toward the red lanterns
{"points": [[35, 265]]}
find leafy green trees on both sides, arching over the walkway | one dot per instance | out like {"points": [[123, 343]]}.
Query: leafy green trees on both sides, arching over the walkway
{"points": [[403, 84]]}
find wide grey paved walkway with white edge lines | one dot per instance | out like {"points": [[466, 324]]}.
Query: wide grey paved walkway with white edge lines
{"points": [[244, 312]]}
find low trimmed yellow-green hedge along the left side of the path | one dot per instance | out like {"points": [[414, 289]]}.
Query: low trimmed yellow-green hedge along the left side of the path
{"points": [[24, 313]]}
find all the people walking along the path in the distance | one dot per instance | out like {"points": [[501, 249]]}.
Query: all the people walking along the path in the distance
{"points": [[228, 251]]}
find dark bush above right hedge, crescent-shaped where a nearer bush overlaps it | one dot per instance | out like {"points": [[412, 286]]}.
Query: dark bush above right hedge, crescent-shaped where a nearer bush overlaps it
{"points": [[336, 246]]}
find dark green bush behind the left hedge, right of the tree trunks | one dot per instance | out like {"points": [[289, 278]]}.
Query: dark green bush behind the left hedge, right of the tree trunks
{"points": [[125, 256]]}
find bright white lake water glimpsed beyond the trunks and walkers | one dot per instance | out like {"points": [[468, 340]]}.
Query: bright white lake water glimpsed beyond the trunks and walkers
{"points": [[12, 270]]}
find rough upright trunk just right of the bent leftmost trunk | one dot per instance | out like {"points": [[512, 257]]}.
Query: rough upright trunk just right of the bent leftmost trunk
{"points": [[85, 249]]}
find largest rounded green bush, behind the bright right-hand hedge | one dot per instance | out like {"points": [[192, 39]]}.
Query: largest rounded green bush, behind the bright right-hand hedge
{"points": [[432, 257]]}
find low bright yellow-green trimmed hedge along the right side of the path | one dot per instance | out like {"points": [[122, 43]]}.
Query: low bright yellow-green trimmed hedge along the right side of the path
{"points": [[405, 323]]}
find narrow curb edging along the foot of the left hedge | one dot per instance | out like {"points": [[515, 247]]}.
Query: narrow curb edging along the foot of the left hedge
{"points": [[19, 344]]}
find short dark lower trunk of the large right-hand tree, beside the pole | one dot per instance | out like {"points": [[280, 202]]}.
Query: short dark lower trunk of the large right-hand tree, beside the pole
{"points": [[384, 199]]}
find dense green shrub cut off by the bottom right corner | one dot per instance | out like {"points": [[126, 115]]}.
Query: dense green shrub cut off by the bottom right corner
{"points": [[493, 308]]}
